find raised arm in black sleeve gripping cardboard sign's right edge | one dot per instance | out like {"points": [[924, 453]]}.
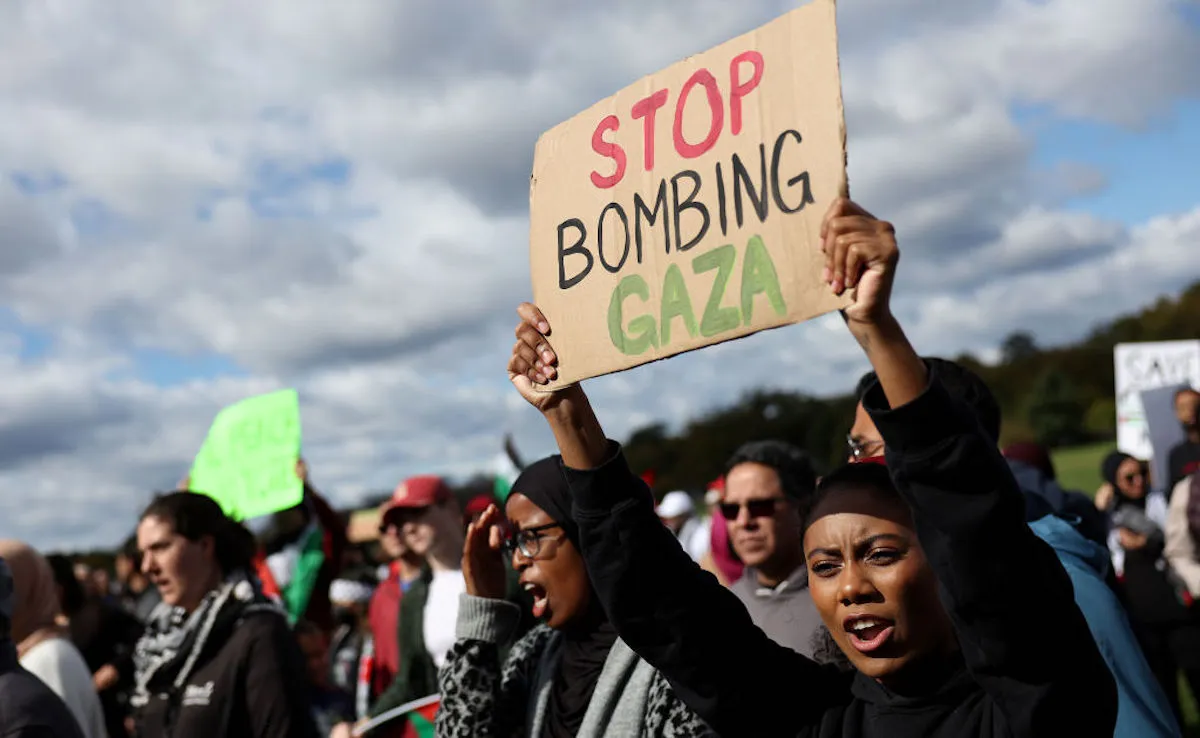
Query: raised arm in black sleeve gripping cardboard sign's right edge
{"points": [[1022, 635]]}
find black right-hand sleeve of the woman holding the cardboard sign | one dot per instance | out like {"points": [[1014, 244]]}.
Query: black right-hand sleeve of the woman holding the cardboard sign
{"points": [[1024, 639]]}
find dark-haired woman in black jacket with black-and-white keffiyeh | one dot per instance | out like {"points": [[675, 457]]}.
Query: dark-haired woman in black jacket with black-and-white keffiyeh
{"points": [[218, 657]]}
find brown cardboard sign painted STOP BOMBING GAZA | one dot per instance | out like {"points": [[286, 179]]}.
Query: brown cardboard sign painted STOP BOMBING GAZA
{"points": [[686, 211]]}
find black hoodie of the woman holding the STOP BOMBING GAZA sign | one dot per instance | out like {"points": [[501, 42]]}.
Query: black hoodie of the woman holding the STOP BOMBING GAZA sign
{"points": [[1030, 667]]}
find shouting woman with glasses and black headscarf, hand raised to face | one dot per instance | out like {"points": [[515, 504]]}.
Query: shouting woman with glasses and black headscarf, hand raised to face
{"points": [[569, 677]]}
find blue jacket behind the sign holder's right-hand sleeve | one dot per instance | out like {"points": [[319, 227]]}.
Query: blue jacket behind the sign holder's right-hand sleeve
{"points": [[1143, 710]]}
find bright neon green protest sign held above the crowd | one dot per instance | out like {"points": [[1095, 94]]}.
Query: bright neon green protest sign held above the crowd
{"points": [[249, 460]]}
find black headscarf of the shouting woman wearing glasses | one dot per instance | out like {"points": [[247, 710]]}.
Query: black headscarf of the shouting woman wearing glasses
{"points": [[586, 644]]}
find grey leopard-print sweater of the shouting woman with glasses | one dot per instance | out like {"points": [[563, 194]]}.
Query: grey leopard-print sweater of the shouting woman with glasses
{"points": [[482, 699]]}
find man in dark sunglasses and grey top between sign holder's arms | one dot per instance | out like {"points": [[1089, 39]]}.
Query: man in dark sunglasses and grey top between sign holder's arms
{"points": [[769, 487]]}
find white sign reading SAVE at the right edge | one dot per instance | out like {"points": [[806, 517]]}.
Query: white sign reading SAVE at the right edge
{"points": [[1148, 367]]}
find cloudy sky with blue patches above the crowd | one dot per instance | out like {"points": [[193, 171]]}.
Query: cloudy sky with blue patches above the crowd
{"points": [[202, 201]]}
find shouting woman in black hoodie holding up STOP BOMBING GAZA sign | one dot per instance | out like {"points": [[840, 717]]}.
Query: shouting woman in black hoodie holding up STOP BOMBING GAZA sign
{"points": [[959, 622]]}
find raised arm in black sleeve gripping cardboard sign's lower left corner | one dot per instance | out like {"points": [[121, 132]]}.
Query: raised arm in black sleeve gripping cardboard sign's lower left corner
{"points": [[671, 613]]}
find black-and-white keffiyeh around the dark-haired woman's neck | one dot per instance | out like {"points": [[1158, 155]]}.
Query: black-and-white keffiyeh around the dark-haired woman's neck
{"points": [[173, 640]]}
